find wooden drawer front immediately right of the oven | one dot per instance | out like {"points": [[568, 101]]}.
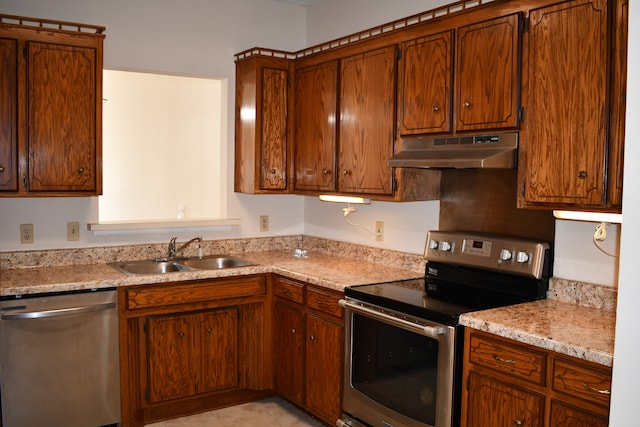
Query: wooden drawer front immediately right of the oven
{"points": [[511, 359]]}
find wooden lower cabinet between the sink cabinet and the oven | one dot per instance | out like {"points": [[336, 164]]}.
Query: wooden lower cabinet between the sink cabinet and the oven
{"points": [[308, 347]]}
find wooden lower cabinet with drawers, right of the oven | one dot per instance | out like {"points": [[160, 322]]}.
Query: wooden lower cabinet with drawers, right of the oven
{"points": [[507, 383]]}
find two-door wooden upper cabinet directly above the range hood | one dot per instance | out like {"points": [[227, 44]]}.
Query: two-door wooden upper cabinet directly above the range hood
{"points": [[486, 79]]}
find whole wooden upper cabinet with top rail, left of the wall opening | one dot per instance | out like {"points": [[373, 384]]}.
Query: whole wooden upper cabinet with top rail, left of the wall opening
{"points": [[51, 108]]}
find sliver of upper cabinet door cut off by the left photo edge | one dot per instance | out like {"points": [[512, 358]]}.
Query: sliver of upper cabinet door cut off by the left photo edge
{"points": [[8, 113]]}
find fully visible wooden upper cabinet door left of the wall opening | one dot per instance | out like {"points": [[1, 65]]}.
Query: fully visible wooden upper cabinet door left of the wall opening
{"points": [[62, 119]]}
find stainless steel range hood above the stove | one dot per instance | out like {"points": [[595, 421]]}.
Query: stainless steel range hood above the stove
{"points": [[459, 152]]}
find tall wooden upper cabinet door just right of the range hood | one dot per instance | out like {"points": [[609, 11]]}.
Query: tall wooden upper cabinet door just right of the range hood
{"points": [[564, 147]]}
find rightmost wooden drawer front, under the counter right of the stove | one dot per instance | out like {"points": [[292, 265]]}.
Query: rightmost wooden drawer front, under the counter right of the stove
{"points": [[584, 381]]}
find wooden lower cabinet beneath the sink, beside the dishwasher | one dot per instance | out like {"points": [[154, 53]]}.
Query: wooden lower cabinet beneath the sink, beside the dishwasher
{"points": [[189, 347]]}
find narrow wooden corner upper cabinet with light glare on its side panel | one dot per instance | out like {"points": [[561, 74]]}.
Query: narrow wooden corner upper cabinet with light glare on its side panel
{"points": [[262, 106]]}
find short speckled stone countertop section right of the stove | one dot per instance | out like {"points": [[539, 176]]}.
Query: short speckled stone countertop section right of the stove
{"points": [[583, 332]]}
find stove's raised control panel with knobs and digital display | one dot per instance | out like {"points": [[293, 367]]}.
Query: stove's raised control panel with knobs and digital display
{"points": [[493, 252]]}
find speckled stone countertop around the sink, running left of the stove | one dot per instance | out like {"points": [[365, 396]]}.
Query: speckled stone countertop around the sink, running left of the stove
{"points": [[321, 269]]}
